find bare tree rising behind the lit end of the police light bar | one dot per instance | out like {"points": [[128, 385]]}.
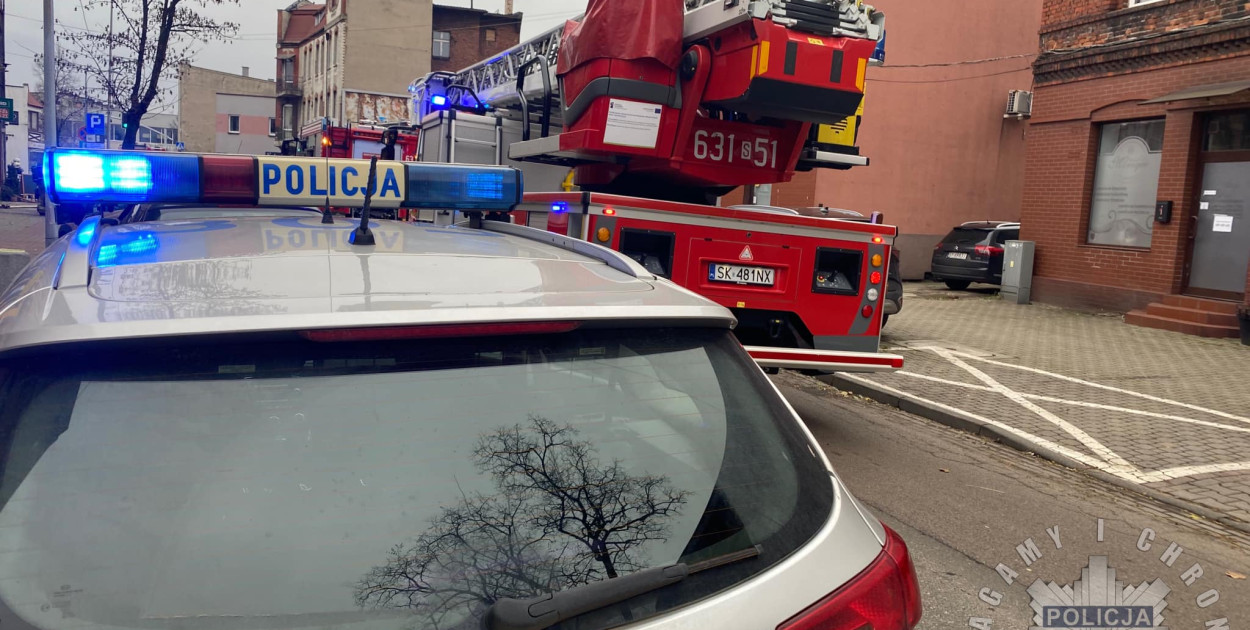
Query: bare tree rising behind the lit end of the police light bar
{"points": [[153, 38]]}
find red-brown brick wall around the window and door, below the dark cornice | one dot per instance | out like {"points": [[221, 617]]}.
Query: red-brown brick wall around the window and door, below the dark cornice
{"points": [[1059, 181]]}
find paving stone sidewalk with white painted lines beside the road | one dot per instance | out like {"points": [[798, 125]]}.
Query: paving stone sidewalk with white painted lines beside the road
{"points": [[1157, 411]]}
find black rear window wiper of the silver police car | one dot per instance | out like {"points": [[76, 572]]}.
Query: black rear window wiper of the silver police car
{"points": [[548, 611]]}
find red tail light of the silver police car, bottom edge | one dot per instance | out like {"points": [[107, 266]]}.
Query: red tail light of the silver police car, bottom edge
{"points": [[884, 597]]}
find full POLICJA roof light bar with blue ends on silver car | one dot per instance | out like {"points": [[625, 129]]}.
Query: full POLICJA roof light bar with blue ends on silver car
{"points": [[86, 177]]}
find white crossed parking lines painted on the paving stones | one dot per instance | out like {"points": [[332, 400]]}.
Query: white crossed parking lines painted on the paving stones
{"points": [[1104, 459]]}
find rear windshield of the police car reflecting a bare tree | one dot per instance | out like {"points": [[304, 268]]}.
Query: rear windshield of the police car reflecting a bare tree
{"points": [[278, 483]]}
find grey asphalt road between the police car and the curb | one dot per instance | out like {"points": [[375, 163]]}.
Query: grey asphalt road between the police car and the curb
{"points": [[964, 504]]}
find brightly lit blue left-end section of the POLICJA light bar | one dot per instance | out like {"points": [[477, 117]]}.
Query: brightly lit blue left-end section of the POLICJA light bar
{"points": [[104, 177]]}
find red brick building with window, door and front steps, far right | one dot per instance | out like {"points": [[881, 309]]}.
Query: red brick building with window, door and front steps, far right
{"points": [[1142, 104]]}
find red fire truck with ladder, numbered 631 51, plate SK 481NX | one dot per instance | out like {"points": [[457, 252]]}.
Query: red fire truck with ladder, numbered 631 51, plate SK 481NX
{"points": [[661, 118]]}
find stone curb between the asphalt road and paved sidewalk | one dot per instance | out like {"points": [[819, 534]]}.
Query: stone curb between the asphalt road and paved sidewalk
{"points": [[974, 427]]}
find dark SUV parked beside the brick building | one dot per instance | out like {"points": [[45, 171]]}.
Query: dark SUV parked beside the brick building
{"points": [[973, 253]]}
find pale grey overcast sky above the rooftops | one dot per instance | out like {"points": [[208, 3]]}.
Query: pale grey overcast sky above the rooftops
{"points": [[254, 48]]}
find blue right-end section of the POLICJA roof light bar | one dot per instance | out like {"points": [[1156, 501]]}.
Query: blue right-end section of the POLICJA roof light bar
{"points": [[463, 188]]}
